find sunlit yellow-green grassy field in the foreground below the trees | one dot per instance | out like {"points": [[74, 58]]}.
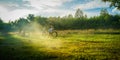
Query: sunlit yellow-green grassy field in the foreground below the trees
{"points": [[69, 45]]}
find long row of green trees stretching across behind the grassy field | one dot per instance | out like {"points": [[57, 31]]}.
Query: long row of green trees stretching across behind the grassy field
{"points": [[78, 21]]}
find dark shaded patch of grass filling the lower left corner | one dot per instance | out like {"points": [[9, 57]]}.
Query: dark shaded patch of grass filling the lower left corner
{"points": [[12, 48]]}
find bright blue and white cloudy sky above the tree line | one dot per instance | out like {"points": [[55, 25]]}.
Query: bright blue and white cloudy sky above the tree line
{"points": [[11, 10]]}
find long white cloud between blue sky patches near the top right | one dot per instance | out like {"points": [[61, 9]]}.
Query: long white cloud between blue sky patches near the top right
{"points": [[92, 4]]}
